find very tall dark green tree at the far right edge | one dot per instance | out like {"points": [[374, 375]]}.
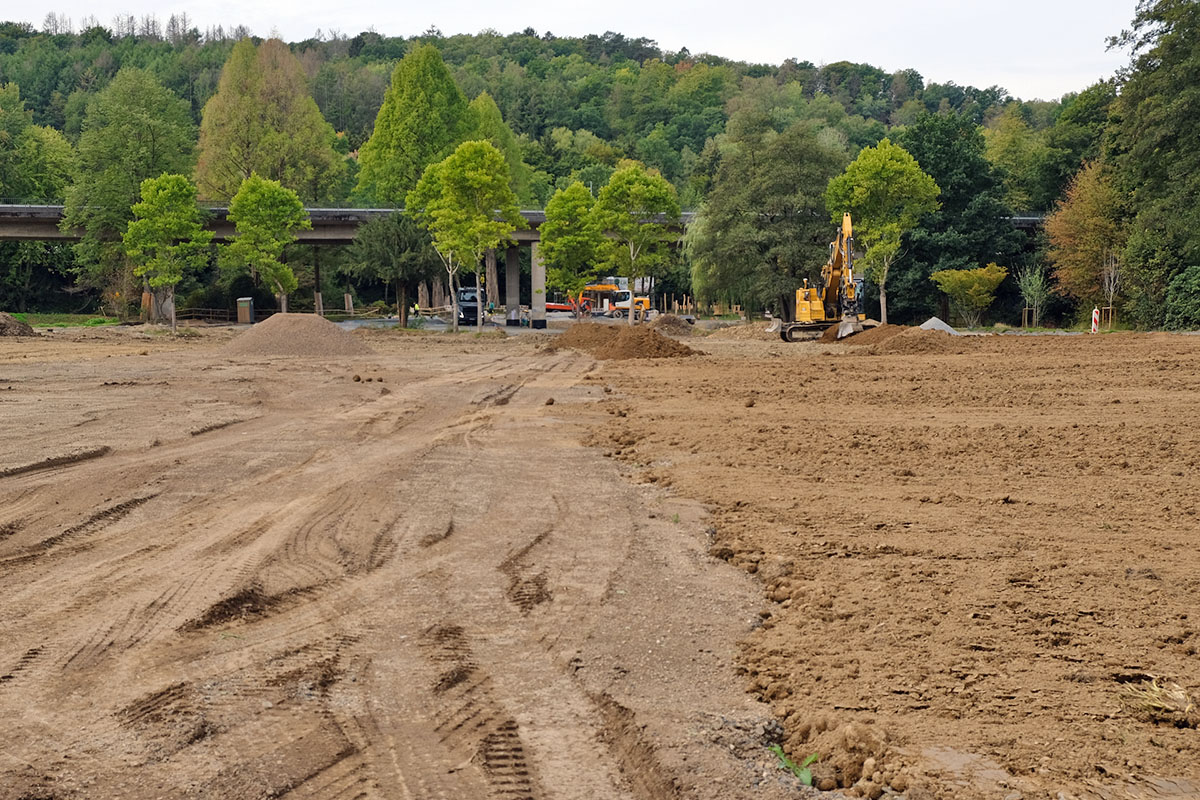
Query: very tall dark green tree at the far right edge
{"points": [[1155, 151]]}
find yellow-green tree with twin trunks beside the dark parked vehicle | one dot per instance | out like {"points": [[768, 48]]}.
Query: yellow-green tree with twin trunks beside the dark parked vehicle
{"points": [[469, 208]]}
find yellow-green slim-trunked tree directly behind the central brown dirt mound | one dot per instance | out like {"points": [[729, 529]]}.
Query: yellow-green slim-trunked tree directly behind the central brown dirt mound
{"points": [[639, 213]]}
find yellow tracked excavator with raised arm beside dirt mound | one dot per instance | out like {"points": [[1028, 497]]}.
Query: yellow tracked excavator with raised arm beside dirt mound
{"points": [[838, 299]]}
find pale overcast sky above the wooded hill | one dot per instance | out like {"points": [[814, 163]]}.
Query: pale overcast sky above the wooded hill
{"points": [[1034, 49]]}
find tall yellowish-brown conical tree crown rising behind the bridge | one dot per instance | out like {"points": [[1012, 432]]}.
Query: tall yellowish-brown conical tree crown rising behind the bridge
{"points": [[265, 121]]}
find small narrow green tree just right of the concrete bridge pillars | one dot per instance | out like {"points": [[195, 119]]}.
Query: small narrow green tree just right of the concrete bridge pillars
{"points": [[571, 240]]}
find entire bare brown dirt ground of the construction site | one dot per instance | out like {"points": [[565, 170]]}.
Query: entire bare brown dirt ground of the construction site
{"points": [[410, 575]]}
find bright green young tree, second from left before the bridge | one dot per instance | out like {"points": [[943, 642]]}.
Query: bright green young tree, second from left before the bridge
{"points": [[266, 216]]}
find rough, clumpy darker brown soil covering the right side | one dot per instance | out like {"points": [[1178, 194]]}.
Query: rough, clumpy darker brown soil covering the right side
{"points": [[973, 548]]}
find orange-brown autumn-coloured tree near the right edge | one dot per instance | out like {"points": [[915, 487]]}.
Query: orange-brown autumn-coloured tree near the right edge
{"points": [[1085, 234]]}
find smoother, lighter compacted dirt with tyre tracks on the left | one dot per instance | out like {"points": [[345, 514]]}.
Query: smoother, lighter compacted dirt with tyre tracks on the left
{"points": [[392, 576]]}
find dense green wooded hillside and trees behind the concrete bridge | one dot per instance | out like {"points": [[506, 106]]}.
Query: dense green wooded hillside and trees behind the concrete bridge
{"points": [[751, 147]]}
